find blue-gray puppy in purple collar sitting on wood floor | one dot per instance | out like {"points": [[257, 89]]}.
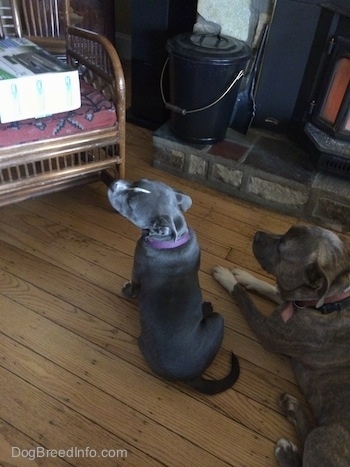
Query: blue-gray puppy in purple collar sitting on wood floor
{"points": [[180, 335]]}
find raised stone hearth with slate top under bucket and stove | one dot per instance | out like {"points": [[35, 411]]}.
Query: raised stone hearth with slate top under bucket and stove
{"points": [[262, 168]]}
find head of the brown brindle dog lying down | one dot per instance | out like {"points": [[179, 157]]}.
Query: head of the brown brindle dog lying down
{"points": [[309, 263]]}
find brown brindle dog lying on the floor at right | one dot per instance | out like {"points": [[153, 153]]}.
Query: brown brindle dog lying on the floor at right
{"points": [[311, 325]]}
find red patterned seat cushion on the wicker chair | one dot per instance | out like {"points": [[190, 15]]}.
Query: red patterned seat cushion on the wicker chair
{"points": [[95, 112]]}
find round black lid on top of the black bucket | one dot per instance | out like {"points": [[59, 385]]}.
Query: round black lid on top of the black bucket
{"points": [[204, 47]]}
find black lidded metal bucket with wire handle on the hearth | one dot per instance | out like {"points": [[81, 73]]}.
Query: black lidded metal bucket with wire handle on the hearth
{"points": [[204, 80]]}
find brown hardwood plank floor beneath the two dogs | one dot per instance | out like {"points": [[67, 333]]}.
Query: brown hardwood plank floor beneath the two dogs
{"points": [[72, 377]]}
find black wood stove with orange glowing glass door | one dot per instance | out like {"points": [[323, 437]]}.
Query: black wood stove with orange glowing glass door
{"points": [[322, 112]]}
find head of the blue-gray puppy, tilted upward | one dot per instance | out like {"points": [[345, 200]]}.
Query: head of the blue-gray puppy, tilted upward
{"points": [[152, 206]]}
